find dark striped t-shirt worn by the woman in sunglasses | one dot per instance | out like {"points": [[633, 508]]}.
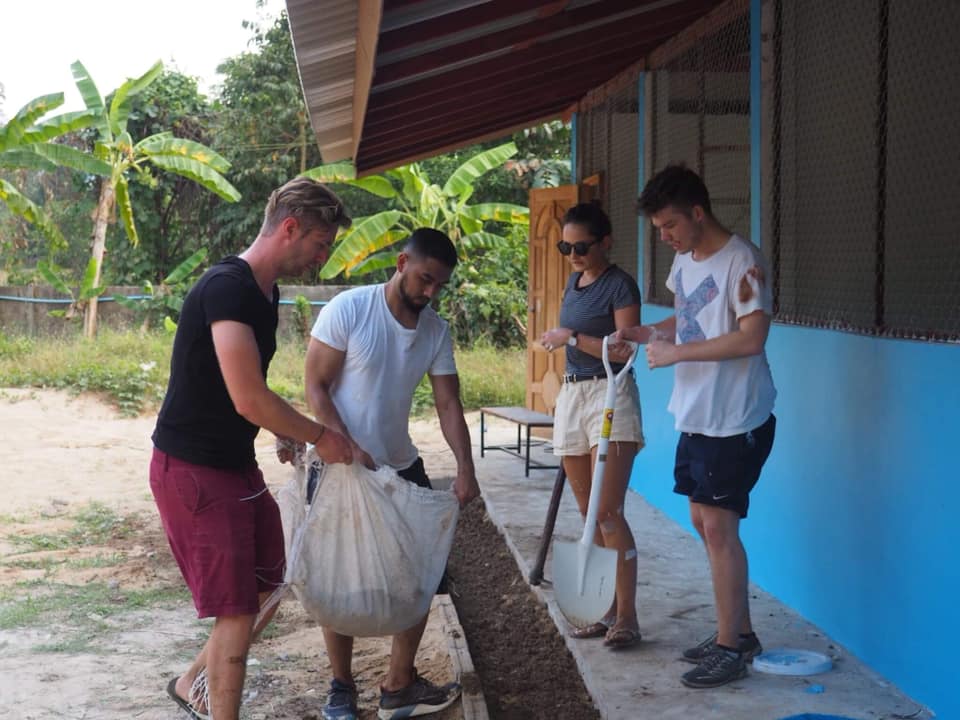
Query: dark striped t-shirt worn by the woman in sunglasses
{"points": [[589, 310]]}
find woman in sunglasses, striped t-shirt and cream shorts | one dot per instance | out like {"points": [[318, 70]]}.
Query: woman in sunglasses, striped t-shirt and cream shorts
{"points": [[599, 299]]}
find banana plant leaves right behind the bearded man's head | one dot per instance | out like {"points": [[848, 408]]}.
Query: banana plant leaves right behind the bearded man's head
{"points": [[368, 244]]}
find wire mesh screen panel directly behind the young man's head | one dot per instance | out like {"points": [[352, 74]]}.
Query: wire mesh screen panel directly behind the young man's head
{"points": [[700, 116]]}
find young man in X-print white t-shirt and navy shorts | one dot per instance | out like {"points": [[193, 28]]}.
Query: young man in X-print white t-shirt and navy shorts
{"points": [[722, 399]]}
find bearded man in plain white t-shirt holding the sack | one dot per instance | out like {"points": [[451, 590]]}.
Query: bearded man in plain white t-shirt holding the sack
{"points": [[370, 348]]}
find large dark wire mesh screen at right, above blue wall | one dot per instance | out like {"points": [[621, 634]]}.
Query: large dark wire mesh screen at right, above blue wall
{"points": [[864, 165]]}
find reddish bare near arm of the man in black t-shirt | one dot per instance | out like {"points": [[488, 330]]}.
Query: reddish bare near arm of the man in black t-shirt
{"points": [[239, 360]]}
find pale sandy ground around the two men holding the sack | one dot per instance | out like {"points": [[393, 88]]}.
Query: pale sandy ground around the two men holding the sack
{"points": [[59, 453]]}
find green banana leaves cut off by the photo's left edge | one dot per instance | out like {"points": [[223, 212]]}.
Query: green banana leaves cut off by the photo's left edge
{"points": [[26, 142]]}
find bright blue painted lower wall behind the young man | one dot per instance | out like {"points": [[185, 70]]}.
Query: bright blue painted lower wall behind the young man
{"points": [[851, 523]]}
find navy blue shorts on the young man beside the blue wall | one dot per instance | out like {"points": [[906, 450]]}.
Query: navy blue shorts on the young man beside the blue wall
{"points": [[722, 471]]}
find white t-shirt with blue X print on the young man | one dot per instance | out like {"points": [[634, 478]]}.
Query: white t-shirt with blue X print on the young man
{"points": [[726, 397]]}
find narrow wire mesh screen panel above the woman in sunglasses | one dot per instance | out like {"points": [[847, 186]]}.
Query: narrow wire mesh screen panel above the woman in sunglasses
{"points": [[609, 141]]}
